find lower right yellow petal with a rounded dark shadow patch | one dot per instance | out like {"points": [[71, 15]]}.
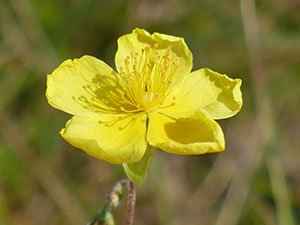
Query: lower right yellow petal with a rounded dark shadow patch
{"points": [[194, 135]]}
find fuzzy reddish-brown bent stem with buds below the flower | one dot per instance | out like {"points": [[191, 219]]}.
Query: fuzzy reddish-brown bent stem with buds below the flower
{"points": [[105, 216]]}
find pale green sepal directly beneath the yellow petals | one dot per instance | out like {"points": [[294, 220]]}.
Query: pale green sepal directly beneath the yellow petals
{"points": [[136, 172]]}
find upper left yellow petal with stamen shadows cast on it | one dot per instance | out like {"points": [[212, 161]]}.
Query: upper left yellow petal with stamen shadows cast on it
{"points": [[82, 85]]}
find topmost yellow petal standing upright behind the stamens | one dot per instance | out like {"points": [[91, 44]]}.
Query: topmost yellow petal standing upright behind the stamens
{"points": [[139, 38]]}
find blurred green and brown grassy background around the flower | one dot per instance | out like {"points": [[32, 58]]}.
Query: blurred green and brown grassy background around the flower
{"points": [[44, 180]]}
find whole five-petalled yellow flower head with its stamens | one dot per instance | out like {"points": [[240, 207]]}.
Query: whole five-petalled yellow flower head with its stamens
{"points": [[153, 98]]}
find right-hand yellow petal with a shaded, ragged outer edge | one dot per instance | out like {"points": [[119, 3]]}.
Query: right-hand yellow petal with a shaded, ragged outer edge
{"points": [[205, 89]]}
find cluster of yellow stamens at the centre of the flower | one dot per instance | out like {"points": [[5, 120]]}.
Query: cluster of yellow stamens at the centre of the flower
{"points": [[146, 79]]}
